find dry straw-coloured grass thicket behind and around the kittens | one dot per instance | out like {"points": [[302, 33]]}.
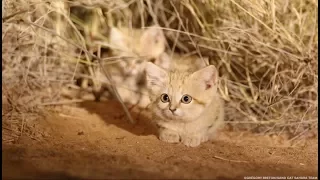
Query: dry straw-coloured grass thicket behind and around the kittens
{"points": [[266, 52]]}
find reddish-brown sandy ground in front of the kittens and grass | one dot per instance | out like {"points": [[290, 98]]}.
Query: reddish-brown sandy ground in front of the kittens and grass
{"points": [[95, 143]]}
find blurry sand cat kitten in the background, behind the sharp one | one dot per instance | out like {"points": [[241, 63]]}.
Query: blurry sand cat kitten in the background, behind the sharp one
{"points": [[133, 47]]}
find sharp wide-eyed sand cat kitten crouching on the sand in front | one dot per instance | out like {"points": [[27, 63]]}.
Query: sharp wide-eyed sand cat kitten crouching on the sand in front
{"points": [[185, 103]]}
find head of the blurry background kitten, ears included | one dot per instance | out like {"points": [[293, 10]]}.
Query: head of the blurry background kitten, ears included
{"points": [[138, 46]]}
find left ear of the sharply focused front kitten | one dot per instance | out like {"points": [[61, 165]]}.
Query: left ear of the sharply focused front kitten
{"points": [[156, 76]]}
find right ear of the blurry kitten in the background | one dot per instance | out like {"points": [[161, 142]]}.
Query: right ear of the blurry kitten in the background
{"points": [[152, 41]]}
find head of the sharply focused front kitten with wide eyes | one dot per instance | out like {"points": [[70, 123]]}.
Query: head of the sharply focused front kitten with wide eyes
{"points": [[180, 96]]}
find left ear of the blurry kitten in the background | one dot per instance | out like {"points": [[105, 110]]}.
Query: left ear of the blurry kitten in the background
{"points": [[117, 39]]}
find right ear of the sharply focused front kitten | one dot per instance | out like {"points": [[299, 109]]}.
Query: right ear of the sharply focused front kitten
{"points": [[206, 77]]}
